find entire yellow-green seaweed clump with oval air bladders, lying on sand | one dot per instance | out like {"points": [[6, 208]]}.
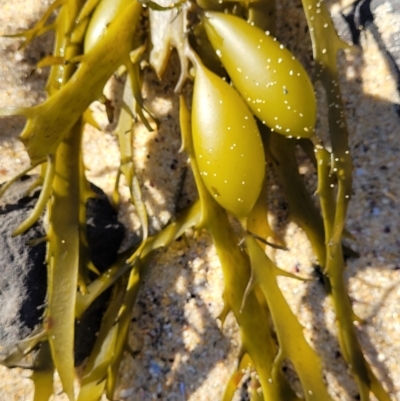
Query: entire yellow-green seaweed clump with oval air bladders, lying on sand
{"points": [[252, 101]]}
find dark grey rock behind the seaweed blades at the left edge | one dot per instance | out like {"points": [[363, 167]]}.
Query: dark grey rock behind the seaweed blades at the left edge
{"points": [[23, 278]]}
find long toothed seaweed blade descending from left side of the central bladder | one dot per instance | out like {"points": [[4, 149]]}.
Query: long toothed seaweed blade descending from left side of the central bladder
{"points": [[253, 318]]}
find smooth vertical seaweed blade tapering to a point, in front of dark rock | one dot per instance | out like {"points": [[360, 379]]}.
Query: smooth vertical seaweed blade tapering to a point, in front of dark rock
{"points": [[63, 252]]}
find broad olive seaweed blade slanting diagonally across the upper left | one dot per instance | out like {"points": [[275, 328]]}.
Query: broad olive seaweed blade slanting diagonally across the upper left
{"points": [[50, 121]]}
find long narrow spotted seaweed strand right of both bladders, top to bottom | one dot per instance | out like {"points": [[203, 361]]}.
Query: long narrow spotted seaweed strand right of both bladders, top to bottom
{"points": [[326, 45]]}
